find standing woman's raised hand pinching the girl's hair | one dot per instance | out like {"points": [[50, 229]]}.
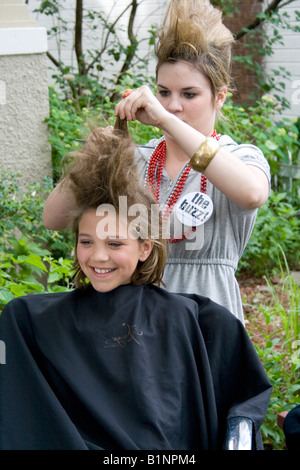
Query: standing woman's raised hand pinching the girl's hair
{"points": [[140, 104]]}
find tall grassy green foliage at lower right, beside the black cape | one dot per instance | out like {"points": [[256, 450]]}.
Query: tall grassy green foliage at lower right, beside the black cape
{"points": [[278, 348]]}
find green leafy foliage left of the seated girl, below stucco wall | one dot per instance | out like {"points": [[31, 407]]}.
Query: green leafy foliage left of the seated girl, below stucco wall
{"points": [[32, 258]]}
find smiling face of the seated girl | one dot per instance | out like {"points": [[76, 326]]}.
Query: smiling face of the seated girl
{"points": [[110, 259]]}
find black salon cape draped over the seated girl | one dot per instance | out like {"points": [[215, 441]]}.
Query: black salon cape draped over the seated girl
{"points": [[134, 368]]}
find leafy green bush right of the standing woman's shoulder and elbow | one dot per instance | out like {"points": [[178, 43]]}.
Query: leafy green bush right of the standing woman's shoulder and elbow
{"points": [[278, 219]]}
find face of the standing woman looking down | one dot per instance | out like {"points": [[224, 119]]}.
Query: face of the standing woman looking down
{"points": [[186, 93]]}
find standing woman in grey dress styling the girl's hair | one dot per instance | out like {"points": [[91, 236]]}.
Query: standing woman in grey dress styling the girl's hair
{"points": [[208, 186]]}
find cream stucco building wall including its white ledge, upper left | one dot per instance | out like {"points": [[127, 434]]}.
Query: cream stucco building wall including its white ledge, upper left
{"points": [[24, 100]]}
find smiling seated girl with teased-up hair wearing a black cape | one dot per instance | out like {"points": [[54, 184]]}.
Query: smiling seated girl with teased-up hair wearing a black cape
{"points": [[118, 362]]}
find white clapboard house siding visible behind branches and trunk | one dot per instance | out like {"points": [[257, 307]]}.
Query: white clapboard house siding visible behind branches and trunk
{"points": [[151, 12]]}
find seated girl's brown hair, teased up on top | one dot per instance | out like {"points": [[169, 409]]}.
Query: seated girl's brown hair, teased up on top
{"points": [[102, 172]]}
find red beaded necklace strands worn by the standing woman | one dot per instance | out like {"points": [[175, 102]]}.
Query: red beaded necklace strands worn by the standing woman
{"points": [[154, 175]]}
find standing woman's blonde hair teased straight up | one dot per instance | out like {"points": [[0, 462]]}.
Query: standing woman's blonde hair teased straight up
{"points": [[193, 32]]}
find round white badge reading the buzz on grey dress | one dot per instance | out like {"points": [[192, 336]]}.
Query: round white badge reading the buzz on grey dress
{"points": [[194, 209]]}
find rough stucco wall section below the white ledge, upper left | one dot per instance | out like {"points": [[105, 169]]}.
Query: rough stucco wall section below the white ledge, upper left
{"points": [[24, 105]]}
